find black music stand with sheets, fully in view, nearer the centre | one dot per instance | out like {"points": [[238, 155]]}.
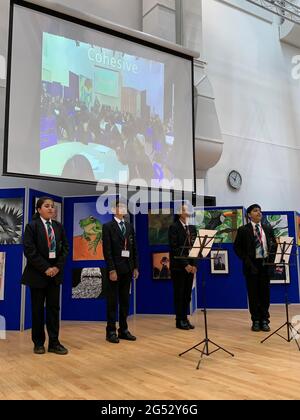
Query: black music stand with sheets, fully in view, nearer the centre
{"points": [[205, 244]]}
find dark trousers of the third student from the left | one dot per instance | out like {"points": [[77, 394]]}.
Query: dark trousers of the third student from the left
{"points": [[182, 283]]}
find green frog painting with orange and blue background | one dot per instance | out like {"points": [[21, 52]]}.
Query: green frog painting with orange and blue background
{"points": [[87, 232]]}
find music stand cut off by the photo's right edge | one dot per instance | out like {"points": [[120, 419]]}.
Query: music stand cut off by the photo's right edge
{"points": [[291, 330]]}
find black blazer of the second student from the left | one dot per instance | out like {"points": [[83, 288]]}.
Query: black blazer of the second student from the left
{"points": [[114, 244]]}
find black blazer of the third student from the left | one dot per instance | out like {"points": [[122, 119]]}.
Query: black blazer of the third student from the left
{"points": [[178, 239]]}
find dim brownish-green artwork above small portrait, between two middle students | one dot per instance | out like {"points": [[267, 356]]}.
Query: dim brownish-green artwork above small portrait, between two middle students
{"points": [[158, 227]]}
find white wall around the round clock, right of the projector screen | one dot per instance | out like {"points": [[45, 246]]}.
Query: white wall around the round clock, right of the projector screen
{"points": [[257, 102]]}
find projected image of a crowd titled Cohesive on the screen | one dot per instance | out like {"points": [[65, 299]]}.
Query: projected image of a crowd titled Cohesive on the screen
{"points": [[103, 113]]}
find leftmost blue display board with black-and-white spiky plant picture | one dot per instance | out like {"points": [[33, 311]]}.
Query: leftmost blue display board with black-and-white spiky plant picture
{"points": [[12, 204]]}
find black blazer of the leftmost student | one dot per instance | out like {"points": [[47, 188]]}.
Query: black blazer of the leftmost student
{"points": [[37, 253]]}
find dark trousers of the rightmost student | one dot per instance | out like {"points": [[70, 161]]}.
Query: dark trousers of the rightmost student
{"points": [[258, 286]]}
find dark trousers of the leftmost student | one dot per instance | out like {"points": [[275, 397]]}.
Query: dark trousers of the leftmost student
{"points": [[50, 295]]}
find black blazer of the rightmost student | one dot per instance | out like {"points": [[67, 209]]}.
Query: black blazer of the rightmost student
{"points": [[244, 246]]}
